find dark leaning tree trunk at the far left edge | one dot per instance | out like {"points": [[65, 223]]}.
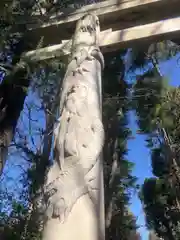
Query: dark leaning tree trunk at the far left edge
{"points": [[12, 95]]}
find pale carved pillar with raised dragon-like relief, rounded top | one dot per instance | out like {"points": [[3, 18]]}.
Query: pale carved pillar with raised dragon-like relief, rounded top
{"points": [[74, 189]]}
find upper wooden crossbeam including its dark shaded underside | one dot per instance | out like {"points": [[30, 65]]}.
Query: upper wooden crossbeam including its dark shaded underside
{"points": [[115, 14]]}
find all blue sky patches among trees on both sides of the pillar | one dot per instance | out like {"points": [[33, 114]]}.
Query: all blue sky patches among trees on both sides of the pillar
{"points": [[138, 153]]}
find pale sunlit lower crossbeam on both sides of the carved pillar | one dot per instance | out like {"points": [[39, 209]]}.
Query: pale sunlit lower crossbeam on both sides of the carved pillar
{"points": [[113, 40]]}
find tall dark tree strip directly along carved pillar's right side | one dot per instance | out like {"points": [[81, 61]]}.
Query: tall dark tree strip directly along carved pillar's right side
{"points": [[118, 178]]}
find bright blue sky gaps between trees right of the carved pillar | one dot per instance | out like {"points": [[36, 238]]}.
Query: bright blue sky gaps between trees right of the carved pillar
{"points": [[138, 152]]}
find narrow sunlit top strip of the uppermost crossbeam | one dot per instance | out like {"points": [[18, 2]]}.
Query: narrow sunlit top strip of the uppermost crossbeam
{"points": [[101, 9]]}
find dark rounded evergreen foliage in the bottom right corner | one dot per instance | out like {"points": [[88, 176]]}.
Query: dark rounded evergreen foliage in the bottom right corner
{"points": [[159, 203]]}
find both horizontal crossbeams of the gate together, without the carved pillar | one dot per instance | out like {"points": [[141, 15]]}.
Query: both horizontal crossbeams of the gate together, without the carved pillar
{"points": [[125, 22]]}
